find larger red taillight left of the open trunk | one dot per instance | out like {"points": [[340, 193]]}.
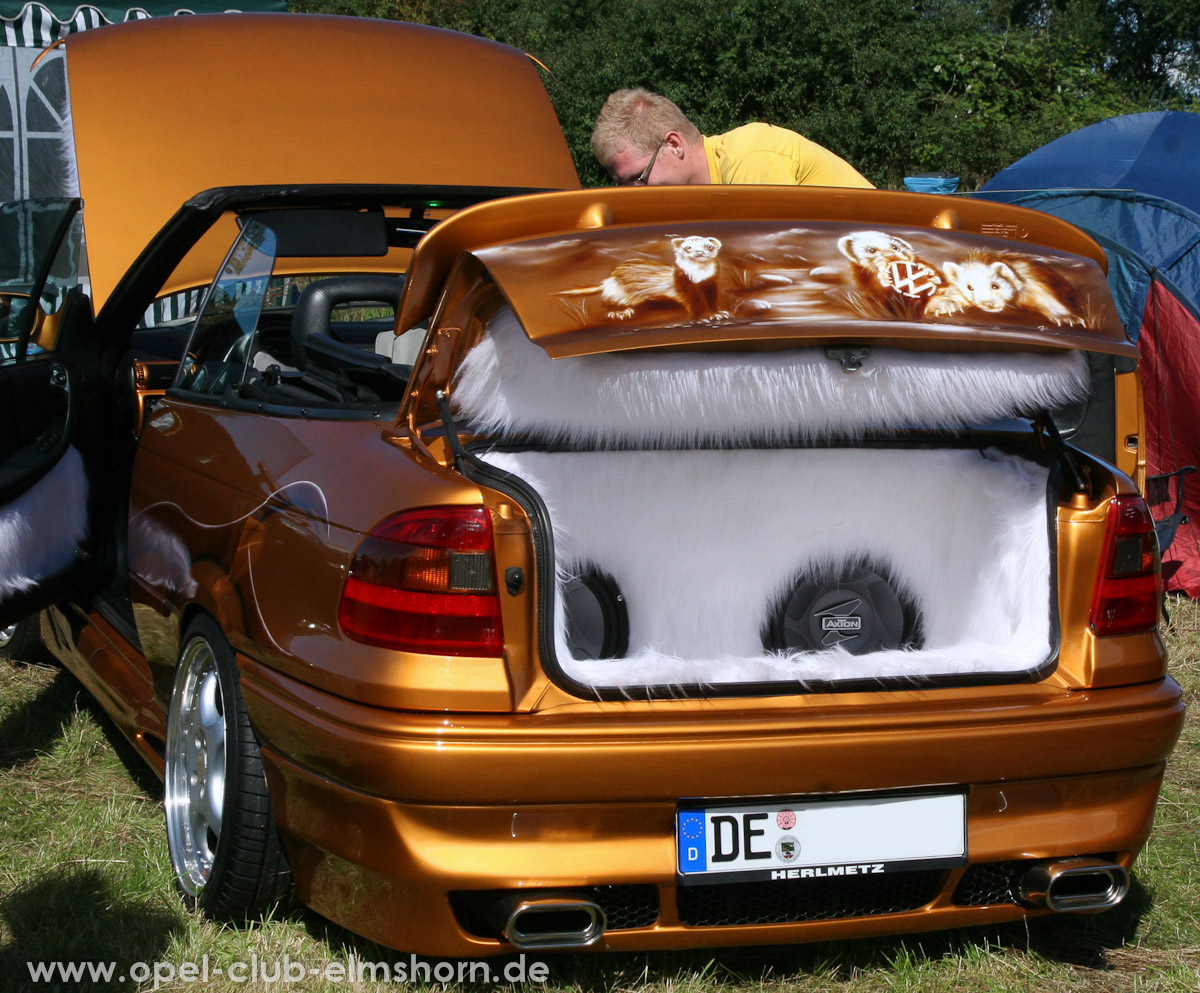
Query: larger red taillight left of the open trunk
{"points": [[425, 581]]}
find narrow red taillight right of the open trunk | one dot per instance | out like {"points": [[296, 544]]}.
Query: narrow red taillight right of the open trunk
{"points": [[1130, 591]]}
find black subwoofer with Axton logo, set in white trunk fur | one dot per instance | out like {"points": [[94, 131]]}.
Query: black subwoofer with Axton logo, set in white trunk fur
{"points": [[856, 607]]}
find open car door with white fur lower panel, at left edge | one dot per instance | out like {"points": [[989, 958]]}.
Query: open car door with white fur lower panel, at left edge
{"points": [[44, 365]]}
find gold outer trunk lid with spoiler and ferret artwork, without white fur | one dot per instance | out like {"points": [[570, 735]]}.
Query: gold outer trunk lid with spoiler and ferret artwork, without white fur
{"points": [[686, 268]]}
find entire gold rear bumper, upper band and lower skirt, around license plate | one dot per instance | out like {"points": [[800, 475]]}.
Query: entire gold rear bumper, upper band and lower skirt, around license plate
{"points": [[397, 822]]}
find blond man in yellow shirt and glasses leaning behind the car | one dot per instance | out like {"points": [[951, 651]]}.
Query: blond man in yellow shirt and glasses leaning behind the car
{"points": [[644, 140]]}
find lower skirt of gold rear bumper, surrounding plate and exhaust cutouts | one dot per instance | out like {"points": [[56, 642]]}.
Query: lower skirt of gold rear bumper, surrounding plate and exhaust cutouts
{"points": [[419, 877]]}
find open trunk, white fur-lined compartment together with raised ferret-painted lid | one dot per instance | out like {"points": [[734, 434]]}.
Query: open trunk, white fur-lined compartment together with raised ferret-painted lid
{"points": [[784, 480]]}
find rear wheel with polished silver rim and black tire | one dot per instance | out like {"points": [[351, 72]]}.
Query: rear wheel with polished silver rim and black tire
{"points": [[225, 847]]}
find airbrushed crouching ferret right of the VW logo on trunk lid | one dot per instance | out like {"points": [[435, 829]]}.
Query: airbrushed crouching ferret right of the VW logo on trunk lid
{"points": [[993, 282]]}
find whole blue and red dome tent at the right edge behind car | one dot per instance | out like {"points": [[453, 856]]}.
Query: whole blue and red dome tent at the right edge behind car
{"points": [[1132, 183]]}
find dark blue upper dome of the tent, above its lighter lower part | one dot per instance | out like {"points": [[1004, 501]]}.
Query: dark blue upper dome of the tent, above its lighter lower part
{"points": [[1154, 154]]}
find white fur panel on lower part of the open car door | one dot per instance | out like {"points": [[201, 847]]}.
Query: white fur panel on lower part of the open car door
{"points": [[41, 529]]}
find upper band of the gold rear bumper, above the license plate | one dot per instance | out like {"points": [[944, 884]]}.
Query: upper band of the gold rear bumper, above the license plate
{"points": [[718, 748]]}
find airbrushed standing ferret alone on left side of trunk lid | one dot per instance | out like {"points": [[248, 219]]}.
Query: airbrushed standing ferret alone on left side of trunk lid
{"points": [[692, 282]]}
